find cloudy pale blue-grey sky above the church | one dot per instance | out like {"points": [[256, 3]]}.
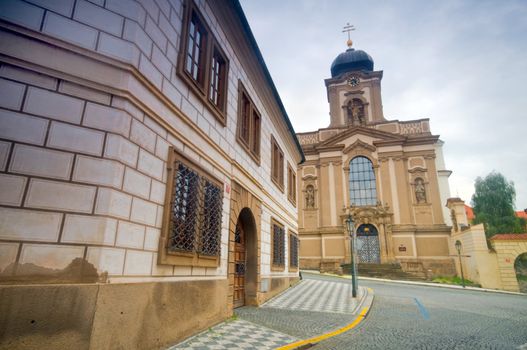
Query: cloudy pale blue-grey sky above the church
{"points": [[463, 64]]}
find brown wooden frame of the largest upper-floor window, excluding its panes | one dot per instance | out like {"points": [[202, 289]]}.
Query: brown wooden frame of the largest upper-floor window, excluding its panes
{"points": [[201, 87]]}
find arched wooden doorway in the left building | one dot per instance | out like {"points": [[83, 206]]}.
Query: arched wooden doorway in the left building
{"points": [[245, 259]]}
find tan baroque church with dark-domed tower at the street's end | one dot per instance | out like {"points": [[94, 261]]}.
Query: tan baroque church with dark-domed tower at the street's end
{"points": [[388, 174]]}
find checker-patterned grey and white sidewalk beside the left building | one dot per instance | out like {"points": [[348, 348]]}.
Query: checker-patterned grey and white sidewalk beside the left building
{"points": [[313, 307]]}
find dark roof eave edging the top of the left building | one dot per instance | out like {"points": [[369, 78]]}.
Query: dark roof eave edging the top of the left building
{"points": [[252, 40]]}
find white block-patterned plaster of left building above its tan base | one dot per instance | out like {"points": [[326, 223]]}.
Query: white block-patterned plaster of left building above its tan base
{"points": [[76, 157]]}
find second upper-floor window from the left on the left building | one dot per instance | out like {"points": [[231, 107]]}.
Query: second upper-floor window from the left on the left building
{"points": [[248, 124]]}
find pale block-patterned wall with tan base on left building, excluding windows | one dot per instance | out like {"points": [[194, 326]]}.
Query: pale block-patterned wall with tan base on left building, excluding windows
{"points": [[90, 103]]}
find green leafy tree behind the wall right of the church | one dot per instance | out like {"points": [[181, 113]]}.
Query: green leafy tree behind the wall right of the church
{"points": [[493, 203]]}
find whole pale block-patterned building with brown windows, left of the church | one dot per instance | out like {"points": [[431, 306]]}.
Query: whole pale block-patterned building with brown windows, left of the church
{"points": [[147, 172]]}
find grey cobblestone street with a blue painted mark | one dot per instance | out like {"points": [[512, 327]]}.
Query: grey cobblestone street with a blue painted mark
{"points": [[419, 317]]}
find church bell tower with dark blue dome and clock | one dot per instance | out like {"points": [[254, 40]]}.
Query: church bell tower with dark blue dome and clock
{"points": [[354, 90]]}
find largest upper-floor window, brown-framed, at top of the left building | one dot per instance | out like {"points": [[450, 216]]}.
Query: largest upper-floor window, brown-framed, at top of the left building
{"points": [[202, 63]]}
